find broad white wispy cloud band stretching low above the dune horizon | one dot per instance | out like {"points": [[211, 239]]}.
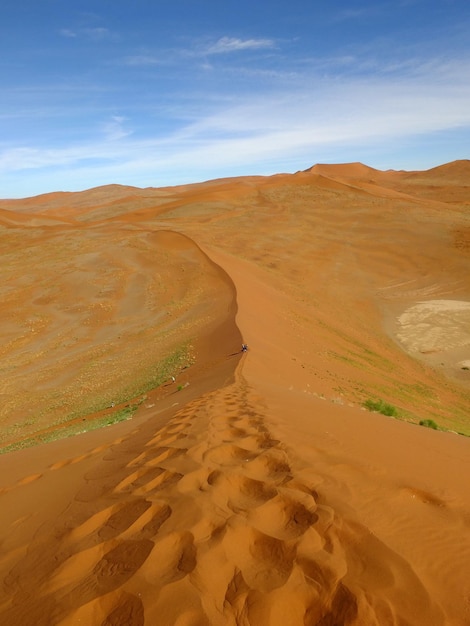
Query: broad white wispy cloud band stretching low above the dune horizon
{"points": [[299, 125]]}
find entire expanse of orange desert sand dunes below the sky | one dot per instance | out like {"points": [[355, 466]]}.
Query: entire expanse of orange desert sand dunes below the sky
{"points": [[242, 488]]}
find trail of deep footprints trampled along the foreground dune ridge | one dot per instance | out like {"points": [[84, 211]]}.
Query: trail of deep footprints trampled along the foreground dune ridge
{"points": [[204, 522]]}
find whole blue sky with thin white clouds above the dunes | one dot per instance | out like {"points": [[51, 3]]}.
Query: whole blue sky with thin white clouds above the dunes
{"points": [[167, 92]]}
